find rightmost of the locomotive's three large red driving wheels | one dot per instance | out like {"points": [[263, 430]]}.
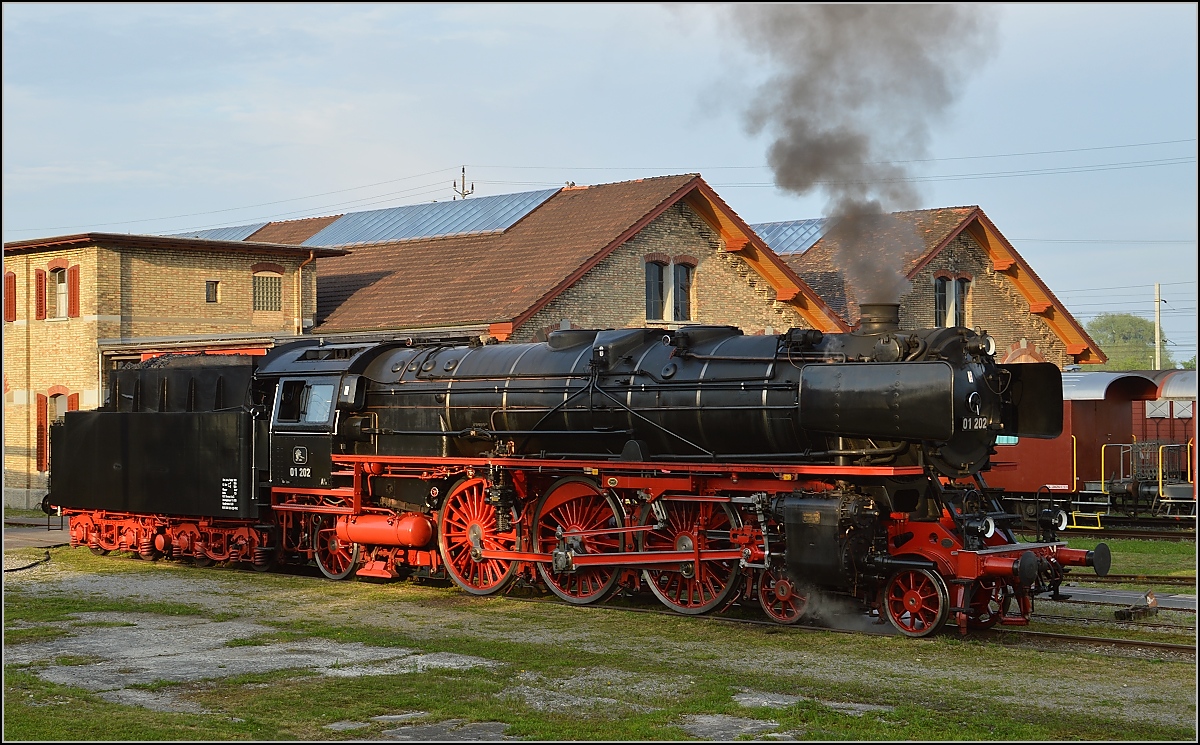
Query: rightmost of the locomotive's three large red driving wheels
{"points": [[692, 590]]}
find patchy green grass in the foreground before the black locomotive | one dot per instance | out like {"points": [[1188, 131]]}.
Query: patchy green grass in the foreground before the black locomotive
{"points": [[662, 668]]}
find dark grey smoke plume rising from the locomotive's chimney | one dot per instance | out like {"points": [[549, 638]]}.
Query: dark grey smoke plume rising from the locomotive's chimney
{"points": [[855, 93]]}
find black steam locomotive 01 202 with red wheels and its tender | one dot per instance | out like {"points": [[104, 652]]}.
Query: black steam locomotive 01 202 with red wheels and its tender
{"points": [[701, 465]]}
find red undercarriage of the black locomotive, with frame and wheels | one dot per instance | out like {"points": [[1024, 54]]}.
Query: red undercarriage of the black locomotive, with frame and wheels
{"points": [[699, 537]]}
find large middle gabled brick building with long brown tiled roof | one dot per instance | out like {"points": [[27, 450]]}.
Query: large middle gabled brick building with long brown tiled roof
{"points": [[661, 253]]}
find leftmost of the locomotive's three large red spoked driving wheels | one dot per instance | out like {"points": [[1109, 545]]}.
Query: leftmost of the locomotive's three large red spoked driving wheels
{"points": [[465, 522]]}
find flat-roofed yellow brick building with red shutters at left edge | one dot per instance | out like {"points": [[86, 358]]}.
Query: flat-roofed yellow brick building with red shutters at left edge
{"points": [[75, 307]]}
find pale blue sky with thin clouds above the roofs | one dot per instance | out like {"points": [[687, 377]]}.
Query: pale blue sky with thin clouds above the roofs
{"points": [[1072, 127]]}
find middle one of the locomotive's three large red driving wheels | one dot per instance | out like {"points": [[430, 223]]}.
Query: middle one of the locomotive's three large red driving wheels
{"points": [[579, 504]]}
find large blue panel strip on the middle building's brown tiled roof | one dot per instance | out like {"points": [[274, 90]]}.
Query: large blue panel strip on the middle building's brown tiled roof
{"points": [[435, 220]]}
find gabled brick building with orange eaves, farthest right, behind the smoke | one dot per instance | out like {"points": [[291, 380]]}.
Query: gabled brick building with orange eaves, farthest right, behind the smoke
{"points": [[958, 269]]}
